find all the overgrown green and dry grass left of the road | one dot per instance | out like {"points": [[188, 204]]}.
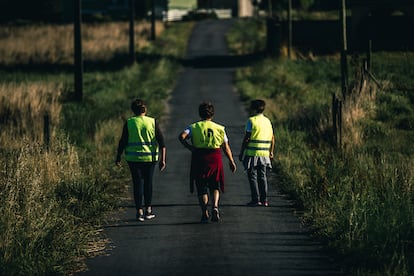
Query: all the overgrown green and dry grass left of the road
{"points": [[54, 195]]}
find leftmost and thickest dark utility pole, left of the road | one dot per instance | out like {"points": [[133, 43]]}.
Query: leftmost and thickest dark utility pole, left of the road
{"points": [[78, 50]]}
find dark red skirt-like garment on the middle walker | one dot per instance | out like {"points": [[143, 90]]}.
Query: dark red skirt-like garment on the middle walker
{"points": [[206, 164]]}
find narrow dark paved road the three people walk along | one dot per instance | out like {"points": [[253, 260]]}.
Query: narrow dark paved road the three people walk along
{"points": [[247, 241]]}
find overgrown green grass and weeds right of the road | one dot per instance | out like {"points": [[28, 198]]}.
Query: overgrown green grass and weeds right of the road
{"points": [[359, 198]]}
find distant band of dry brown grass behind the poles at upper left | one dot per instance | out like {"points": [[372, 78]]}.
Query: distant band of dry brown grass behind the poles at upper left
{"points": [[53, 44]]}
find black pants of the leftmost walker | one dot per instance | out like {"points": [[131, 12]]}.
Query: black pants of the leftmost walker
{"points": [[142, 174]]}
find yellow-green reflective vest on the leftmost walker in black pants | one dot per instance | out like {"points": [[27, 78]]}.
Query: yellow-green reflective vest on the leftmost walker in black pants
{"points": [[142, 144]]}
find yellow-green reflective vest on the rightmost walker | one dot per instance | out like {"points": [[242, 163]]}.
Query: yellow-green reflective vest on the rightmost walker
{"points": [[261, 136]]}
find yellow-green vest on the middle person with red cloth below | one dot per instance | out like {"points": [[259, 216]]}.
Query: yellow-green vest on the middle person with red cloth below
{"points": [[207, 135]]}
